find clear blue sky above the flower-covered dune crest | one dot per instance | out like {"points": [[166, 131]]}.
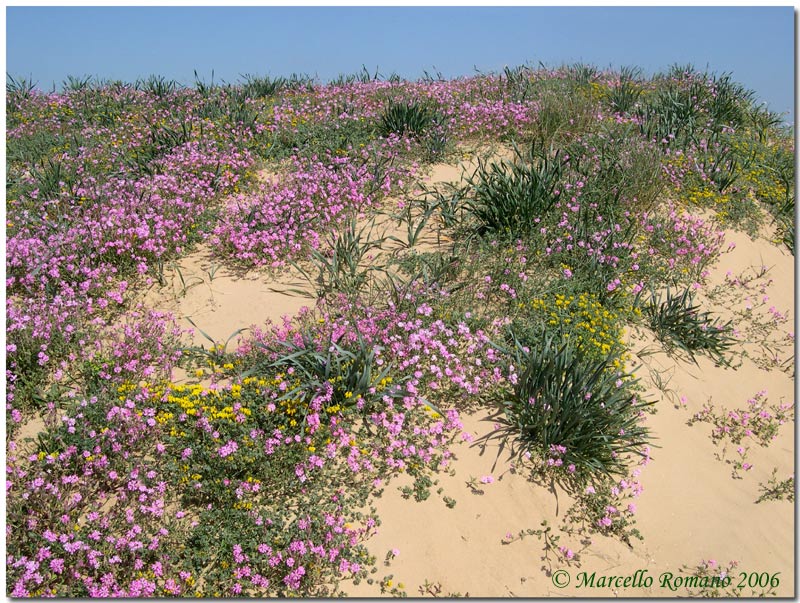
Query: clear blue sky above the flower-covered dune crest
{"points": [[756, 45]]}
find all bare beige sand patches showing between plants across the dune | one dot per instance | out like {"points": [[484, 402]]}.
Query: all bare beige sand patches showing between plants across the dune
{"points": [[691, 508]]}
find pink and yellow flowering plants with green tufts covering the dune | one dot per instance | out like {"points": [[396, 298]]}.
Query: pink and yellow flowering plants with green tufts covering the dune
{"points": [[267, 470]]}
